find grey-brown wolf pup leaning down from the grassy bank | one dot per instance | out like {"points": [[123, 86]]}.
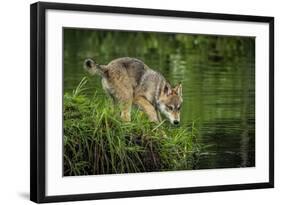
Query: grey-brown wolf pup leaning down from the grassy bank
{"points": [[129, 81]]}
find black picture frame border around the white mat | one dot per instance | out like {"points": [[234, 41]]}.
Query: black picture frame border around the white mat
{"points": [[38, 103]]}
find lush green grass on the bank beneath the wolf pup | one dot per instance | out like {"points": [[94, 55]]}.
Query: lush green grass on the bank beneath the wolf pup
{"points": [[96, 141]]}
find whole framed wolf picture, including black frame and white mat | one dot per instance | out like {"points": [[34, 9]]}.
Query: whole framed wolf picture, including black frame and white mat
{"points": [[129, 102]]}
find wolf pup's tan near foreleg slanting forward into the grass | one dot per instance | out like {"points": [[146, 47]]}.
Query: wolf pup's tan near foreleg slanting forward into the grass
{"points": [[147, 107]]}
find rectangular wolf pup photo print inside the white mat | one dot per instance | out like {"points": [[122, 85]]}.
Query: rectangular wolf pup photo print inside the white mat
{"points": [[136, 101]]}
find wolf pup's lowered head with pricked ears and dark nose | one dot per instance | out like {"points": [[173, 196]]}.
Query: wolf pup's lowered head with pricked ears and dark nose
{"points": [[169, 103]]}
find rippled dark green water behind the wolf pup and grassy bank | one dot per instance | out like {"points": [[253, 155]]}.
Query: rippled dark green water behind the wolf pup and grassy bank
{"points": [[217, 73]]}
